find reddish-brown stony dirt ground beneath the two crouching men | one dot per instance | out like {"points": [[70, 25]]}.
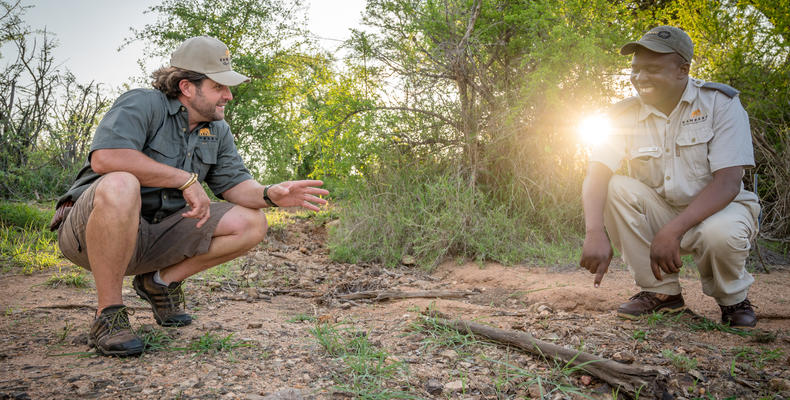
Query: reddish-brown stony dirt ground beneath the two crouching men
{"points": [[271, 300]]}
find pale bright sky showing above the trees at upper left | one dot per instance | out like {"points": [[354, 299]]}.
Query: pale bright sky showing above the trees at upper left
{"points": [[89, 32]]}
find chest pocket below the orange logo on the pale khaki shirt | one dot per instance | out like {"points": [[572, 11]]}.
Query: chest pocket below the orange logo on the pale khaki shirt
{"points": [[692, 149]]}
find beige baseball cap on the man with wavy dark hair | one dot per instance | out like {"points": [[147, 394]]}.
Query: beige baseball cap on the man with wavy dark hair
{"points": [[208, 56]]}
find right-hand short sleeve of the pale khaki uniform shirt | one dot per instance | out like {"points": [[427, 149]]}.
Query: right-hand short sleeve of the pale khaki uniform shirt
{"points": [[731, 144]]}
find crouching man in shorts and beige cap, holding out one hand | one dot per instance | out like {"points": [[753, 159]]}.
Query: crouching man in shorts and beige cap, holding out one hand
{"points": [[138, 208]]}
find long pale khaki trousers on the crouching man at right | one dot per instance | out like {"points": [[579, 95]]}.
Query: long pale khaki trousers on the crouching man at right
{"points": [[720, 244]]}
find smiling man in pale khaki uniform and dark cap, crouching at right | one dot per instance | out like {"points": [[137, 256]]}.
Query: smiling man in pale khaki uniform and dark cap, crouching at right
{"points": [[686, 144]]}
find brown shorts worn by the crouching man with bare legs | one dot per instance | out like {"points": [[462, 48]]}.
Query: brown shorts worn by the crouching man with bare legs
{"points": [[161, 245]]}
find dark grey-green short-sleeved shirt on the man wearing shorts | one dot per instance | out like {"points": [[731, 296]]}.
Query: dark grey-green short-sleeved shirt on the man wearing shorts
{"points": [[146, 120]]}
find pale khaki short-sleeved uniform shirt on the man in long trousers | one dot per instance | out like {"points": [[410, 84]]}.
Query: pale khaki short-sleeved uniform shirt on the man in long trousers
{"points": [[677, 154]]}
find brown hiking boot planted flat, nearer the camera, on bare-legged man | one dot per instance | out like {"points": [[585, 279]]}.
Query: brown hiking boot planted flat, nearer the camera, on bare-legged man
{"points": [[112, 334]]}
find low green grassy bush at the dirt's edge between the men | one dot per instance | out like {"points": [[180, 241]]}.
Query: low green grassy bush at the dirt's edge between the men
{"points": [[432, 214]]}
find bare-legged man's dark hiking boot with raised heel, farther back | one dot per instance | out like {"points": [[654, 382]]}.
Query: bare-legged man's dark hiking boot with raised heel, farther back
{"points": [[167, 302]]}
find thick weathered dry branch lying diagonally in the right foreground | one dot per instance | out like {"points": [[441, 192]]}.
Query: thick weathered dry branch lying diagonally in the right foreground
{"points": [[635, 380]]}
